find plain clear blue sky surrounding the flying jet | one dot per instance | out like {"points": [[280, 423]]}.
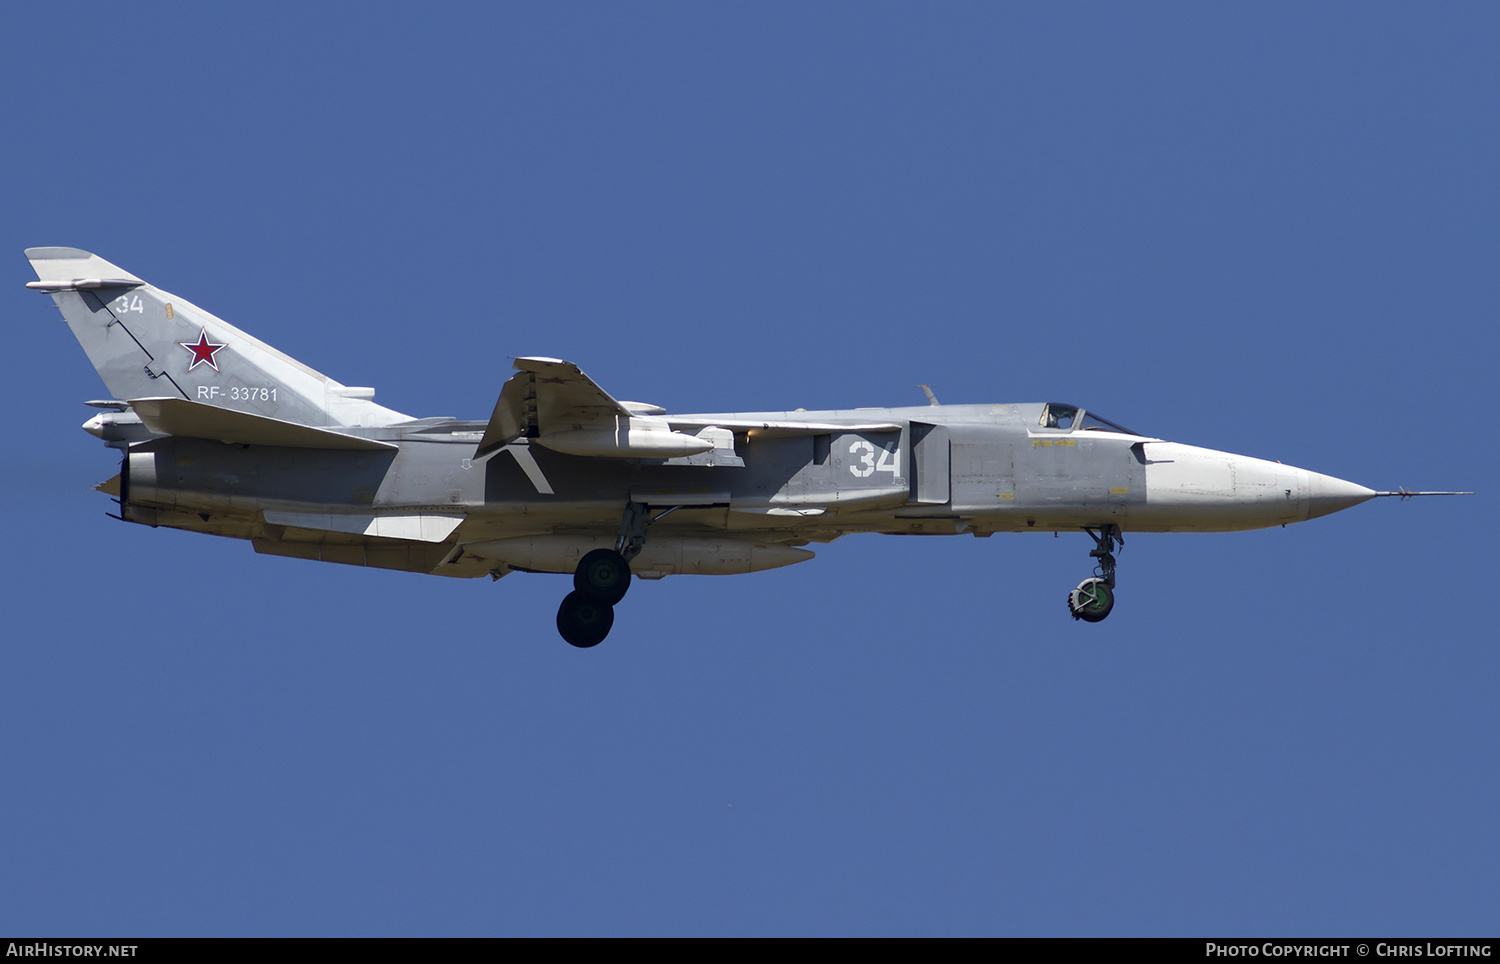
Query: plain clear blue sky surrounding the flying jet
{"points": [[1264, 229]]}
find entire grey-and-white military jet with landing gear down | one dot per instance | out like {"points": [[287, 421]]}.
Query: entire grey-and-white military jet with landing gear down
{"points": [[227, 436]]}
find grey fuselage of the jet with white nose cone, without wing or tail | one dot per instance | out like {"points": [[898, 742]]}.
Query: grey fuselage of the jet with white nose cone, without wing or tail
{"points": [[934, 470]]}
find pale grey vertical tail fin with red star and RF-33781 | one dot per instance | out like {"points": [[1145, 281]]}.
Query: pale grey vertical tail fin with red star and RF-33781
{"points": [[148, 344]]}
